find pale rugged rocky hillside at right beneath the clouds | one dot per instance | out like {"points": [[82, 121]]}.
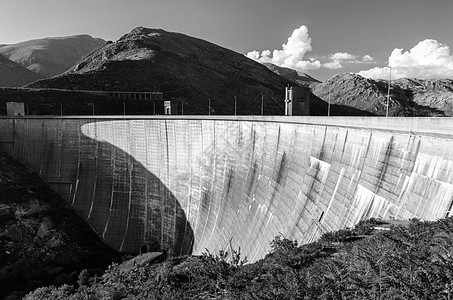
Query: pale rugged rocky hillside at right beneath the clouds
{"points": [[408, 97]]}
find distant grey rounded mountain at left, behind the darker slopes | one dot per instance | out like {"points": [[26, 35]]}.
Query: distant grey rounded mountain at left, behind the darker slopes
{"points": [[51, 56]]}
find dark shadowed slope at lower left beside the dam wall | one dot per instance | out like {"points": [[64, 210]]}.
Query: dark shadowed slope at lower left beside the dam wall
{"points": [[42, 239]]}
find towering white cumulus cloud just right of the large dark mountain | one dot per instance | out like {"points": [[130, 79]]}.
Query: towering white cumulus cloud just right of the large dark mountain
{"points": [[292, 53]]}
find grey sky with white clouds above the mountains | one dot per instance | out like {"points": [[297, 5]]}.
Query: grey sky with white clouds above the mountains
{"points": [[319, 37]]}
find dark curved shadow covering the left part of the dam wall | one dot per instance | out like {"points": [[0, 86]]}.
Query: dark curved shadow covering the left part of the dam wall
{"points": [[125, 204]]}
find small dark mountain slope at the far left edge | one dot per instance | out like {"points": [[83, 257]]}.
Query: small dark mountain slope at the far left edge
{"points": [[14, 75]]}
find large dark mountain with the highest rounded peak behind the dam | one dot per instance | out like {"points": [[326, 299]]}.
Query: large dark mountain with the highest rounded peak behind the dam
{"points": [[182, 67]]}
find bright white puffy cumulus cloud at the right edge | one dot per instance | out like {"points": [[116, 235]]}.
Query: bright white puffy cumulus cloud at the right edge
{"points": [[427, 59]]}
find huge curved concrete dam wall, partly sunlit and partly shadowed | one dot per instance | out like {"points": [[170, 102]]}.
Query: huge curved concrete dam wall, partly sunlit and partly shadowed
{"points": [[186, 184]]}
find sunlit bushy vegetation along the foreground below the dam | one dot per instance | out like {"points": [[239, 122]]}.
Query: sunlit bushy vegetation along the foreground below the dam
{"points": [[403, 262]]}
